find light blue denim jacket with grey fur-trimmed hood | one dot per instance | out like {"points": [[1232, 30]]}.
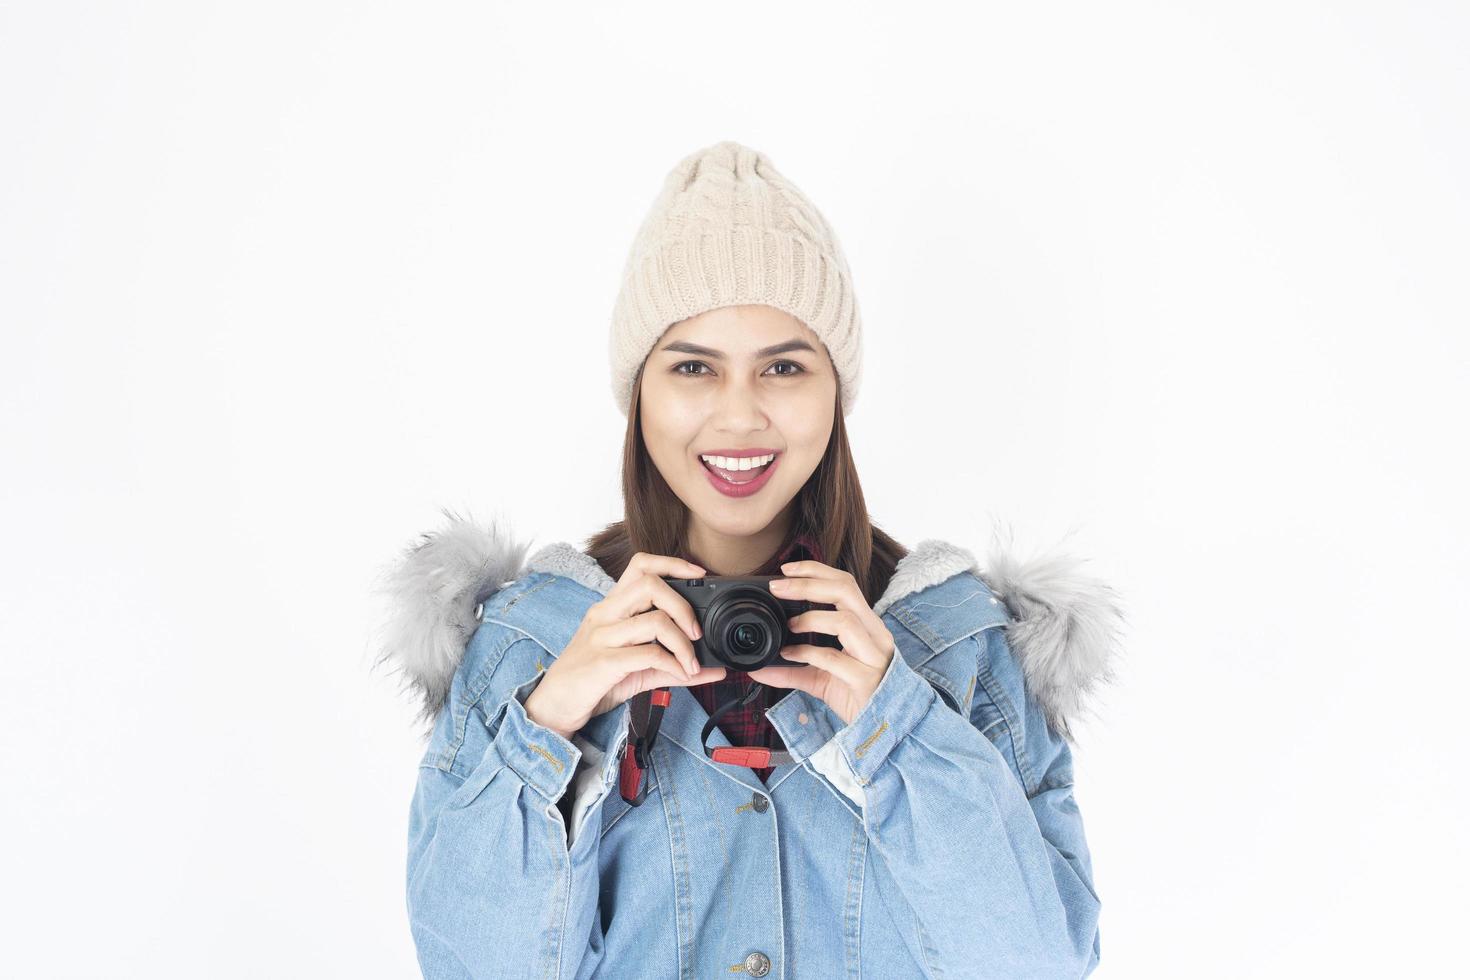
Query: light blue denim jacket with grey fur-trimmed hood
{"points": [[936, 837]]}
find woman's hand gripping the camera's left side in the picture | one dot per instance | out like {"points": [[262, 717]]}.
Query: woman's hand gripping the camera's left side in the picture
{"points": [[617, 652]]}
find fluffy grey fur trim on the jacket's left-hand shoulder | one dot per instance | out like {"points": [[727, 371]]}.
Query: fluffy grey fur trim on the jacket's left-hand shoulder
{"points": [[433, 593]]}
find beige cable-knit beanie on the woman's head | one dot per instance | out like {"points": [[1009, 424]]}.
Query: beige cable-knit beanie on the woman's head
{"points": [[730, 230]]}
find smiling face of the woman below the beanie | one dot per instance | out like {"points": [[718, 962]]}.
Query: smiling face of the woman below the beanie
{"points": [[749, 381]]}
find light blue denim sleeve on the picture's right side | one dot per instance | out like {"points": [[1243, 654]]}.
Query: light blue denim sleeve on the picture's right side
{"points": [[972, 815]]}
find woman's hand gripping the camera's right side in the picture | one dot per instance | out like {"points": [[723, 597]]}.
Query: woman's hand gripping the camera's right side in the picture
{"points": [[846, 680]]}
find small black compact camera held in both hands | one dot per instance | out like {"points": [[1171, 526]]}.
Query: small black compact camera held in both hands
{"points": [[745, 624]]}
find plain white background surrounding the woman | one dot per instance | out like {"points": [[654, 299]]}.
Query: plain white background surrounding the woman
{"points": [[1180, 292]]}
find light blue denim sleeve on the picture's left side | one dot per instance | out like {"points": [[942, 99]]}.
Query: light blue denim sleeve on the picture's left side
{"points": [[495, 887]]}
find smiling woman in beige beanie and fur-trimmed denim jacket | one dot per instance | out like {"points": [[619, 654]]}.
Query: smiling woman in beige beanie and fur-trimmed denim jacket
{"points": [[905, 809]]}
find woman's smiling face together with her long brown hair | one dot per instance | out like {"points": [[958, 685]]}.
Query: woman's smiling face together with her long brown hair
{"points": [[737, 455]]}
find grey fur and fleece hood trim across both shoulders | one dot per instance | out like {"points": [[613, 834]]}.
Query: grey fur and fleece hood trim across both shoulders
{"points": [[1065, 628]]}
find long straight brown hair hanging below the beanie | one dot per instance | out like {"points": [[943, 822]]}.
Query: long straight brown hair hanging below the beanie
{"points": [[830, 512]]}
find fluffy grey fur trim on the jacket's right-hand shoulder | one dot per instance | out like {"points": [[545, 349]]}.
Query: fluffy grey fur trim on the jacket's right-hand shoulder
{"points": [[1068, 630]]}
